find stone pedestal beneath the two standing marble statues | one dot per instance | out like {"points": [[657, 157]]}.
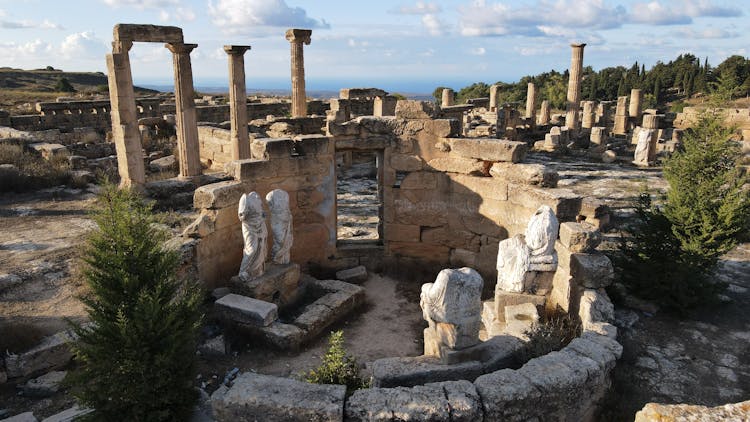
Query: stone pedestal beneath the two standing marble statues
{"points": [[279, 284]]}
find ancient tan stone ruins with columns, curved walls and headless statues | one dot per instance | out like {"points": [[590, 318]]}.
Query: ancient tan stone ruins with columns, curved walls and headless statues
{"points": [[456, 203]]}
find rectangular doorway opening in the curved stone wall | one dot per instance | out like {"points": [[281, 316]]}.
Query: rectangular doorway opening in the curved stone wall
{"points": [[359, 197]]}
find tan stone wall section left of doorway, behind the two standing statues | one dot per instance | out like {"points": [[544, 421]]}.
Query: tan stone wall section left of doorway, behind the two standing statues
{"points": [[304, 167]]}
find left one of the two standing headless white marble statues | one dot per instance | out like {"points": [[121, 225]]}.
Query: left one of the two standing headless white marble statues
{"points": [[254, 233]]}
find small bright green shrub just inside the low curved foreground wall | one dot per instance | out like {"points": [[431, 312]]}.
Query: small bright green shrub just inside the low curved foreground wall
{"points": [[338, 367]]}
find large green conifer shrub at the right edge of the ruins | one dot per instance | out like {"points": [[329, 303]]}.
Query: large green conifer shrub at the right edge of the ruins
{"points": [[668, 254]]}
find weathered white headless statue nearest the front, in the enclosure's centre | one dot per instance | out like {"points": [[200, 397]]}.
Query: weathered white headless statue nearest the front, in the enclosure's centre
{"points": [[455, 299]]}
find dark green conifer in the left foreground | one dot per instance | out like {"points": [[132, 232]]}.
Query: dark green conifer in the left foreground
{"points": [[137, 355]]}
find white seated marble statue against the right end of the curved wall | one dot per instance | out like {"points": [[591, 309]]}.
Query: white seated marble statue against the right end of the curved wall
{"points": [[518, 256]]}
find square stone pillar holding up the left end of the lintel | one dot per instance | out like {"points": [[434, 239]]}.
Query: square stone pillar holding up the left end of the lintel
{"points": [[125, 132]]}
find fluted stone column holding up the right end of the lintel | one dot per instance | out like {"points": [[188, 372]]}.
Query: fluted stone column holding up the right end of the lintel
{"points": [[188, 148]]}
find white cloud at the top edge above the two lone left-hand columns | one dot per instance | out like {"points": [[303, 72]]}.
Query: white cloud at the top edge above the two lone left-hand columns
{"points": [[242, 16]]}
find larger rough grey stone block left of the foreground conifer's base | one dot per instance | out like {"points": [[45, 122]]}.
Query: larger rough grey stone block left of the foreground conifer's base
{"points": [[52, 352]]}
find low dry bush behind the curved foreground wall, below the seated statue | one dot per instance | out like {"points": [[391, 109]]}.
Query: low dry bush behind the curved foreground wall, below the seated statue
{"points": [[554, 332]]}
